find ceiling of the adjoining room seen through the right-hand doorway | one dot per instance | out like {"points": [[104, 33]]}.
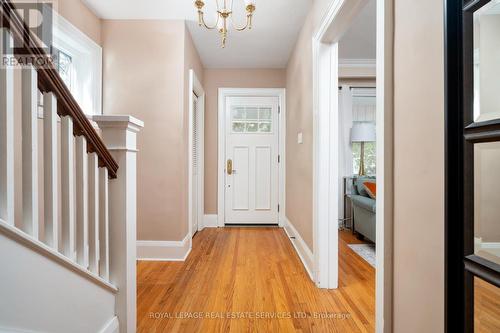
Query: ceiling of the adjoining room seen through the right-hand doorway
{"points": [[359, 42]]}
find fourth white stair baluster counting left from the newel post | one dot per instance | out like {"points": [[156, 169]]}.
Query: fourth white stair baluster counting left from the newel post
{"points": [[68, 188]]}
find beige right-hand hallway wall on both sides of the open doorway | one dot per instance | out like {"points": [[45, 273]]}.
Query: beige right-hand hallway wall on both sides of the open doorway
{"points": [[418, 158]]}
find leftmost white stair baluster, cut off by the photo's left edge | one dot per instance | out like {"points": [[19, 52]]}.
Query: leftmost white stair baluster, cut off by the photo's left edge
{"points": [[6, 135]]}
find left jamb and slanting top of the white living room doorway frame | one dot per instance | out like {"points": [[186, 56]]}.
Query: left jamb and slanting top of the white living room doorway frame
{"points": [[326, 179]]}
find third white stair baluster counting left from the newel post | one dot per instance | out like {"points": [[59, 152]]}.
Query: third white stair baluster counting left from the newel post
{"points": [[82, 220]]}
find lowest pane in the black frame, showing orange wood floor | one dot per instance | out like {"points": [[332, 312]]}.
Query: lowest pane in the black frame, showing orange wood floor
{"points": [[486, 307]]}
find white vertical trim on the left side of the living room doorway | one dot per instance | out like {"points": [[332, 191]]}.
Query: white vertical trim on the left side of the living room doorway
{"points": [[326, 165]]}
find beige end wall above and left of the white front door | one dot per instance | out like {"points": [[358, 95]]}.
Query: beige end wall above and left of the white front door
{"points": [[213, 79]]}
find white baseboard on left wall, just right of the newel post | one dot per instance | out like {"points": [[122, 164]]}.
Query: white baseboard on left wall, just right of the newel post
{"points": [[164, 250]]}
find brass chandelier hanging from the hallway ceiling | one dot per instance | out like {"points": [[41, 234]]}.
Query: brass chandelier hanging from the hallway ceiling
{"points": [[223, 16]]}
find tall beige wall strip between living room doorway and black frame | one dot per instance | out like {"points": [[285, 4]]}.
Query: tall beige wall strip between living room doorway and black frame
{"points": [[418, 167]]}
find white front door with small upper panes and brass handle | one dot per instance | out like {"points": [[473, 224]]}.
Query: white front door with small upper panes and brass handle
{"points": [[251, 170]]}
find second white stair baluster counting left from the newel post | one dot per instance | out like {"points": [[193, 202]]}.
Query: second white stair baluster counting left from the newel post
{"points": [[93, 213]]}
